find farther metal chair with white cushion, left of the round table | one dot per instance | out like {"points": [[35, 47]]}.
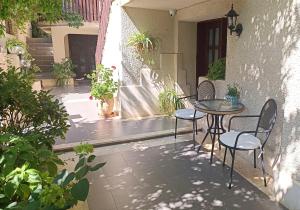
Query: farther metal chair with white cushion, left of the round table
{"points": [[205, 90]]}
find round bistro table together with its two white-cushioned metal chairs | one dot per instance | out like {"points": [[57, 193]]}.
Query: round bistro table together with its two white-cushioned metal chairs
{"points": [[206, 105]]}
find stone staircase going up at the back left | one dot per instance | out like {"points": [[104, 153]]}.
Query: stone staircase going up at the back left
{"points": [[41, 50]]}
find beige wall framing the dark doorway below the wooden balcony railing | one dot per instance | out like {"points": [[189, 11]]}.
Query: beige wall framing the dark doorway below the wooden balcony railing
{"points": [[60, 38]]}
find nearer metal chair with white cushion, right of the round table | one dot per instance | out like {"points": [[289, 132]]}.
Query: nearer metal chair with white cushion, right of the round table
{"points": [[248, 140]]}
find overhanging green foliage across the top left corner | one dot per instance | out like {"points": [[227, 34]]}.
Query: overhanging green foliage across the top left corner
{"points": [[22, 12]]}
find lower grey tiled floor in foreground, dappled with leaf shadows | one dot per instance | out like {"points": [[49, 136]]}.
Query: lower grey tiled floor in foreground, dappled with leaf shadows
{"points": [[166, 175]]}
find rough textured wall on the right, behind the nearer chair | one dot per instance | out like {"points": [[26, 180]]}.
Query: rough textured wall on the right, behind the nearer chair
{"points": [[265, 62]]}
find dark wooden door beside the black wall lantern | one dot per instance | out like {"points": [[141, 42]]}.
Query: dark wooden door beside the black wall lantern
{"points": [[211, 43]]}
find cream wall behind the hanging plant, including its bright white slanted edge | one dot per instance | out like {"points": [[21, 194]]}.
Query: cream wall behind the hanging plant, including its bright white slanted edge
{"points": [[140, 83]]}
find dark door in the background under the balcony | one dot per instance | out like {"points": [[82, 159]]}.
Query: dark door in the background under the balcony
{"points": [[82, 53]]}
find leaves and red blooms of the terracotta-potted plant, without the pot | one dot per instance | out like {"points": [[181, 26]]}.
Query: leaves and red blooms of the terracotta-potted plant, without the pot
{"points": [[103, 85]]}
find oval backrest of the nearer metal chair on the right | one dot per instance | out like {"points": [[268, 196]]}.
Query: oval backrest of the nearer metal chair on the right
{"points": [[267, 118]]}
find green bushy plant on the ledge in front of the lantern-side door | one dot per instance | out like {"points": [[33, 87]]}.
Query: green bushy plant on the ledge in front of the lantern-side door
{"points": [[216, 70]]}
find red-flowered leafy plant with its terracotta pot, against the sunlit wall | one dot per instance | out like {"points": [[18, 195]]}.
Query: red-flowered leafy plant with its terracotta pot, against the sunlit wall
{"points": [[103, 88]]}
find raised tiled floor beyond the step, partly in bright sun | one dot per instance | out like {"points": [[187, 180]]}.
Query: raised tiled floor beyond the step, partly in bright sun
{"points": [[86, 125]]}
